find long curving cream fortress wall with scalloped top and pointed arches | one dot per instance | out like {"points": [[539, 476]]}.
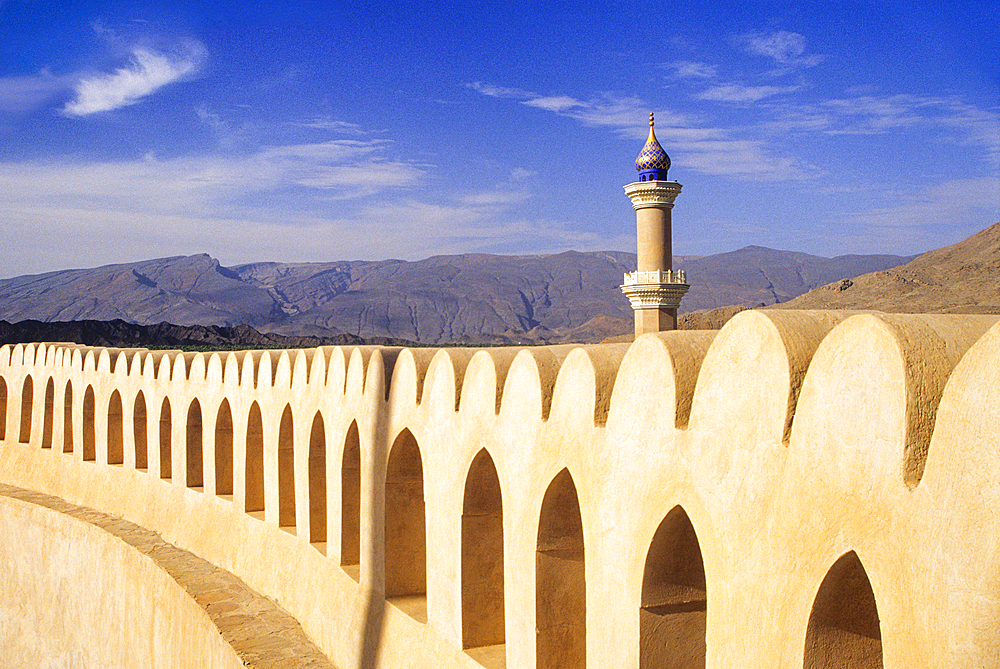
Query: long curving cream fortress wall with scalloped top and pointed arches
{"points": [[675, 502]]}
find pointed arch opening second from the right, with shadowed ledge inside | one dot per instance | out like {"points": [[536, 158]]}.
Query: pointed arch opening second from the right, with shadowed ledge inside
{"points": [[674, 603]]}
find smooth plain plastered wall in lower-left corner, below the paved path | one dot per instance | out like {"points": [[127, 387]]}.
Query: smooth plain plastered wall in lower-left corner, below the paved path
{"points": [[75, 596]]}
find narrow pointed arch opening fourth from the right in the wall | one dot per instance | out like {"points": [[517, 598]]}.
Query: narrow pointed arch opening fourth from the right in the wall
{"points": [[482, 556]]}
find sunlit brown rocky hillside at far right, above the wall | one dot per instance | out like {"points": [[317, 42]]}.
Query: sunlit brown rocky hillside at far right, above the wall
{"points": [[962, 278]]}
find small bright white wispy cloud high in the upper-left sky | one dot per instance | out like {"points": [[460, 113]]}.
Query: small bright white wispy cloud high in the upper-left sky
{"points": [[146, 72]]}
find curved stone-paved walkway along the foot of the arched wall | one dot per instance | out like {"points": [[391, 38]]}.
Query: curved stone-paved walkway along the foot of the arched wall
{"points": [[263, 634]]}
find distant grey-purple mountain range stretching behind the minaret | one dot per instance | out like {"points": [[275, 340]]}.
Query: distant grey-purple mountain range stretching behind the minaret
{"points": [[471, 298]]}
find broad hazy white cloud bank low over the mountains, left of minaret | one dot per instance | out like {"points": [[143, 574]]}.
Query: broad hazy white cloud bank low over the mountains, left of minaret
{"points": [[303, 202]]}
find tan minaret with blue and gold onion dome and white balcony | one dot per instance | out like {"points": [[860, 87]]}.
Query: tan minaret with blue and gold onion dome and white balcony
{"points": [[654, 289]]}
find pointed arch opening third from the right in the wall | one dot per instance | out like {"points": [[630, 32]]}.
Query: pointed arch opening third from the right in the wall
{"points": [[560, 579]]}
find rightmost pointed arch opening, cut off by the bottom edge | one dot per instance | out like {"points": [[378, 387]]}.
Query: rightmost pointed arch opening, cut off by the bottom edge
{"points": [[844, 630]]}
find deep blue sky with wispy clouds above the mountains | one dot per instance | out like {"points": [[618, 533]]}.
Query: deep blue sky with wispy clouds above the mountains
{"points": [[313, 131]]}
